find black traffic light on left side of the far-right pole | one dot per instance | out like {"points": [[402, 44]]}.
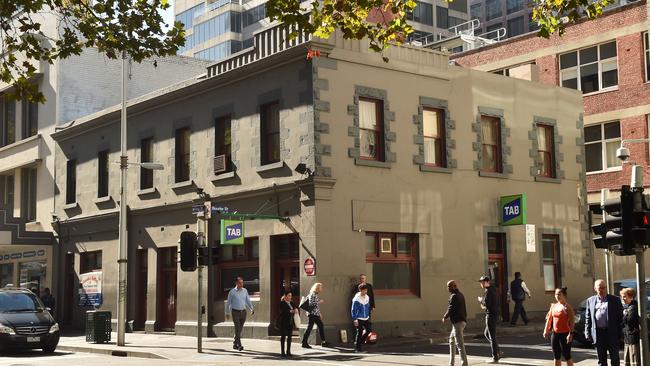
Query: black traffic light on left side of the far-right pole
{"points": [[615, 232]]}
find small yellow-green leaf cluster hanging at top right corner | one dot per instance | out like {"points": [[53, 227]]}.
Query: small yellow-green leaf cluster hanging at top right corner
{"points": [[552, 16]]}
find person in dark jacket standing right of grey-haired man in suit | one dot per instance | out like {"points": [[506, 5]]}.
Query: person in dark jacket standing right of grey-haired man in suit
{"points": [[631, 328]]}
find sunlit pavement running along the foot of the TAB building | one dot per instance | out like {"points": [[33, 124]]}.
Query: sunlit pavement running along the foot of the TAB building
{"points": [[172, 347]]}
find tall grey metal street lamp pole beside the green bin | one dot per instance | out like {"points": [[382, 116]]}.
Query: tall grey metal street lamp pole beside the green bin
{"points": [[122, 261]]}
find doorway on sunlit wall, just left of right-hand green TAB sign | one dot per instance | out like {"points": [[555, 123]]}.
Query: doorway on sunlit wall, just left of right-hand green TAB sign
{"points": [[498, 270]]}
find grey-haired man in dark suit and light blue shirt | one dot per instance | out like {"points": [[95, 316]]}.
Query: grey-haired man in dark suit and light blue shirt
{"points": [[604, 323]]}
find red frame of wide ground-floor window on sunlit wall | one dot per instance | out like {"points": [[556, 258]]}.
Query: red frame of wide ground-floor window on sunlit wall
{"points": [[393, 257]]}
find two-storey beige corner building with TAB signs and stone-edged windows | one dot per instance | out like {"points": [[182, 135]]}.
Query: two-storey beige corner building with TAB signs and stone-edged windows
{"points": [[406, 164]]}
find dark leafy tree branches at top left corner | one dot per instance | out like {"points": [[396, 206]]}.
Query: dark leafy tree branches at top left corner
{"points": [[111, 26]]}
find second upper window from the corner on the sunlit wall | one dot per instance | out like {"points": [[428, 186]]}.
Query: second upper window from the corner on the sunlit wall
{"points": [[433, 130]]}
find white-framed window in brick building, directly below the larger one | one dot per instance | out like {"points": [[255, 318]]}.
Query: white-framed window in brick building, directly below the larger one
{"points": [[601, 142]]}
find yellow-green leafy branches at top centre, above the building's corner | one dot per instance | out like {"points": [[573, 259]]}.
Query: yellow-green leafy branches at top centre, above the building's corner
{"points": [[382, 21]]}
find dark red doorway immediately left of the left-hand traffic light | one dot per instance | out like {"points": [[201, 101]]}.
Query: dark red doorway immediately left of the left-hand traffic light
{"points": [[166, 314]]}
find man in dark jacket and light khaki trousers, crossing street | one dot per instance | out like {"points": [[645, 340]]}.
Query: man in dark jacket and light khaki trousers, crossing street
{"points": [[457, 314]]}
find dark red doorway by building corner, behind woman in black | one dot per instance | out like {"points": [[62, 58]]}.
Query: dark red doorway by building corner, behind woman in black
{"points": [[285, 271]]}
